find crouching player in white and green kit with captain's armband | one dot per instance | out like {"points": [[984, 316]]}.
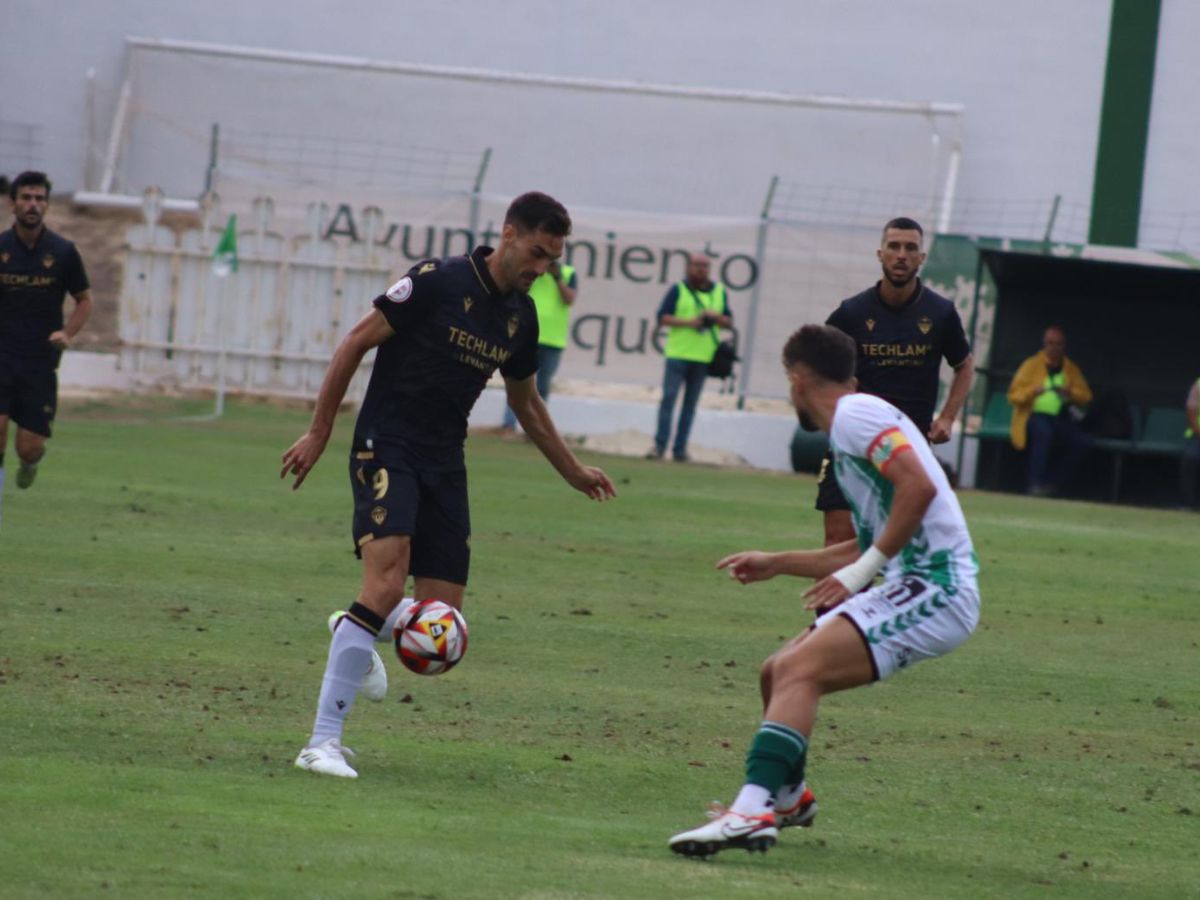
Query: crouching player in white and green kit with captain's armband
{"points": [[910, 530]]}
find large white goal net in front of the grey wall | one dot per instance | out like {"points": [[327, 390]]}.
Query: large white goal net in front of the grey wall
{"points": [[787, 191]]}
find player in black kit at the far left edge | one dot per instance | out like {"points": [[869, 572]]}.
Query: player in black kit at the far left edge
{"points": [[38, 271]]}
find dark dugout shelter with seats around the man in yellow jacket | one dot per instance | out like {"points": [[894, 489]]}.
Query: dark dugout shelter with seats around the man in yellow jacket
{"points": [[1132, 320]]}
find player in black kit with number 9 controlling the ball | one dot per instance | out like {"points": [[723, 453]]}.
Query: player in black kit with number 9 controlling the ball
{"points": [[441, 333]]}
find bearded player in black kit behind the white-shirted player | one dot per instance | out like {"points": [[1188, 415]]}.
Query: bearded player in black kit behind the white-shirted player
{"points": [[903, 331]]}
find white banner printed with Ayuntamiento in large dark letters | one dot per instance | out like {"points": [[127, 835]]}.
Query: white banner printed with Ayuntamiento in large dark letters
{"points": [[626, 263]]}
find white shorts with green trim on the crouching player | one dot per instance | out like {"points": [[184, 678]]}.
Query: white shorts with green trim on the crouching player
{"points": [[909, 620]]}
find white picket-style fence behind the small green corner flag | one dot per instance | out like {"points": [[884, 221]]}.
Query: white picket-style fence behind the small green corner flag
{"points": [[269, 328]]}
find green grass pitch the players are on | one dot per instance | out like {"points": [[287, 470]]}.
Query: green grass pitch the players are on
{"points": [[163, 635]]}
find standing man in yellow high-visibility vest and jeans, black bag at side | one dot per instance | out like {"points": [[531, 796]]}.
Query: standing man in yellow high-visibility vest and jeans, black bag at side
{"points": [[693, 311]]}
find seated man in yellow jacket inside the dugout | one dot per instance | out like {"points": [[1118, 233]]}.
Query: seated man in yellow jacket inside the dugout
{"points": [[1048, 394]]}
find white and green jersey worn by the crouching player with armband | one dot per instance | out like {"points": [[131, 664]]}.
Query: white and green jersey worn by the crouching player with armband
{"points": [[867, 435]]}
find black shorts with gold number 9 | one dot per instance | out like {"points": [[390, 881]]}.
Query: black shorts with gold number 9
{"points": [[404, 497]]}
